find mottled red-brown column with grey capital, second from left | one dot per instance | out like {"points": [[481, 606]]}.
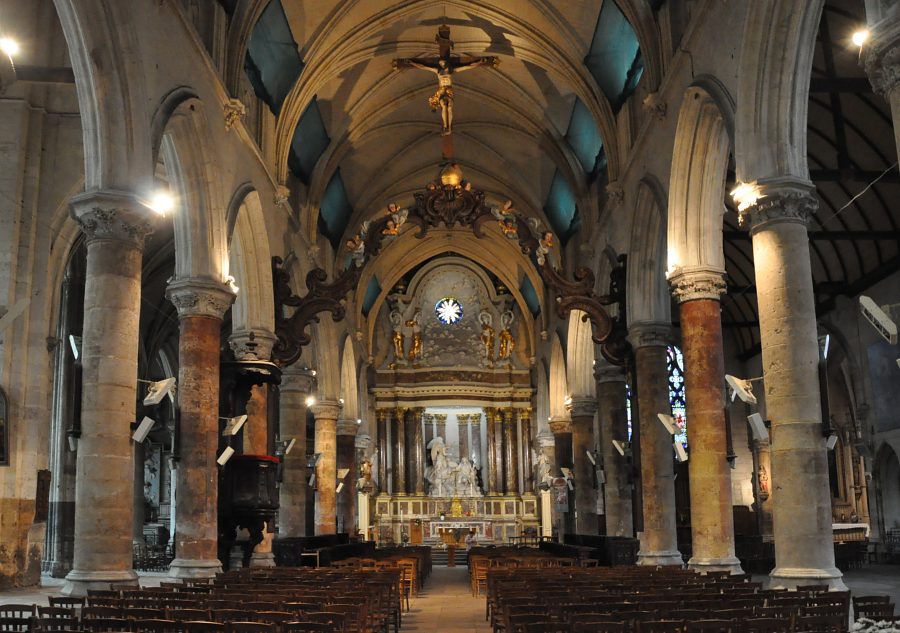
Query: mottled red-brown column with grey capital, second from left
{"points": [[201, 304]]}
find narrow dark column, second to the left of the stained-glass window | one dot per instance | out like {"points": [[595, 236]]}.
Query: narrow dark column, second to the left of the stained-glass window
{"points": [[582, 410]]}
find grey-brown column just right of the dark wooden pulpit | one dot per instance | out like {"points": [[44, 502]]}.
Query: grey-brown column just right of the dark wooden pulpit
{"points": [[296, 385]]}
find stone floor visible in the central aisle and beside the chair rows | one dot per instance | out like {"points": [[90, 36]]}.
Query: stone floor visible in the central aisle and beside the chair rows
{"points": [[446, 604]]}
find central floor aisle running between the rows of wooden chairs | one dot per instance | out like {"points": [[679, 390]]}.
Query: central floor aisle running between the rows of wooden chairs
{"points": [[446, 605]]}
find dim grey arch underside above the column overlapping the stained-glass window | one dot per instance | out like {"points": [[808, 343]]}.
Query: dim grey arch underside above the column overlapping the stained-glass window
{"points": [[648, 295]]}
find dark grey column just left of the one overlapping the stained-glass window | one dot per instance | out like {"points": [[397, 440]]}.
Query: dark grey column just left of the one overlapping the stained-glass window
{"points": [[614, 426]]}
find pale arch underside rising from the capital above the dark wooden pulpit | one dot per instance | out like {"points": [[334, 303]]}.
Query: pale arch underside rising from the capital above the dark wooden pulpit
{"points": [[249, 264]]}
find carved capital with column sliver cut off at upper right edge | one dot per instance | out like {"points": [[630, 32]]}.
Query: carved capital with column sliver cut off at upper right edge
{"points": [[882, 60]]}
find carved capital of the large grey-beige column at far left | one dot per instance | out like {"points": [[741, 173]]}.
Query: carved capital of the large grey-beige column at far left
{"points": [[112, 215]]}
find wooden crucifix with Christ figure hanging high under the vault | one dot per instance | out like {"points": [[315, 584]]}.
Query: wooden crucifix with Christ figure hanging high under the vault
{"points": [[445, 66]]}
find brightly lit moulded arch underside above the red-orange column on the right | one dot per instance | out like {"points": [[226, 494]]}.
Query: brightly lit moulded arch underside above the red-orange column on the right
{"points": [[697, 186]]}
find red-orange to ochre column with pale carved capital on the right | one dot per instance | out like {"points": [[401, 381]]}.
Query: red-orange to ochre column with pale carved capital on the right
{"points": [[712, 520]]}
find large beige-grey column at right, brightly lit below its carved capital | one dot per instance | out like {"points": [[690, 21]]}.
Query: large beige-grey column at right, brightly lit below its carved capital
{"points": [[804, 551]]}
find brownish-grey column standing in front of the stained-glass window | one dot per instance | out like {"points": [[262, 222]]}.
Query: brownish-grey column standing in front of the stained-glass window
{"points": [[659, 542]]}
